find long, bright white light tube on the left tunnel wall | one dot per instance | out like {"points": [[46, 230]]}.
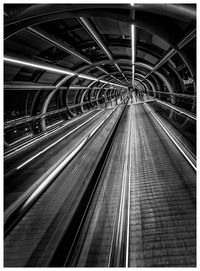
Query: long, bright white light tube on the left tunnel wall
{"points": [[38, 66]]}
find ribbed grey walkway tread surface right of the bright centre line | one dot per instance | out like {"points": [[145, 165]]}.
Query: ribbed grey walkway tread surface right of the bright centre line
{"points": [[162, 199]]}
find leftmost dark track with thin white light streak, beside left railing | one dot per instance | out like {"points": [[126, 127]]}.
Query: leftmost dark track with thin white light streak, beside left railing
{"points": [[51, 150]]}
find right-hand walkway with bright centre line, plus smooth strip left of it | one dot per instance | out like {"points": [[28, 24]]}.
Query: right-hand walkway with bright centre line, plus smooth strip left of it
{"points": [[161, 184]]}
